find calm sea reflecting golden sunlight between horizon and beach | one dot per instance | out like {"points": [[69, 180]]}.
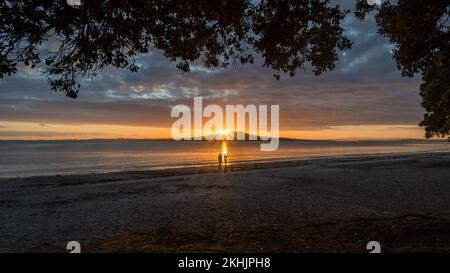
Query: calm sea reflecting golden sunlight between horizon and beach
{"points": [[18, 158]]}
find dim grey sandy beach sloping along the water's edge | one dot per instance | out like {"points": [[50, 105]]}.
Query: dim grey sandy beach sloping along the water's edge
{"points": [[311, 205]]}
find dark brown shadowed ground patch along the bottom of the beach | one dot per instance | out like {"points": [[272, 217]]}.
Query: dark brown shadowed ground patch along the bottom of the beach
{"points": [[409, 233]]}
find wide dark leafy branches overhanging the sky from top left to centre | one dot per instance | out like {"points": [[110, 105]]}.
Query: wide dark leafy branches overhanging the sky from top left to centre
{"points": [[85, 39]]}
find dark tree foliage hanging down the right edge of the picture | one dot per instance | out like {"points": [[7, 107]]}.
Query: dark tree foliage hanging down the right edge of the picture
{"points": [[419, 30]]}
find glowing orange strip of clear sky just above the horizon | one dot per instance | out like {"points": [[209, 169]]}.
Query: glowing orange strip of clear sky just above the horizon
{"points": [[41, 131]]}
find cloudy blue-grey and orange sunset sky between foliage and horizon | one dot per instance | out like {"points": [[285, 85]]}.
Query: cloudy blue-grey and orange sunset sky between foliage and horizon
{"points": [[365, 97]]}
